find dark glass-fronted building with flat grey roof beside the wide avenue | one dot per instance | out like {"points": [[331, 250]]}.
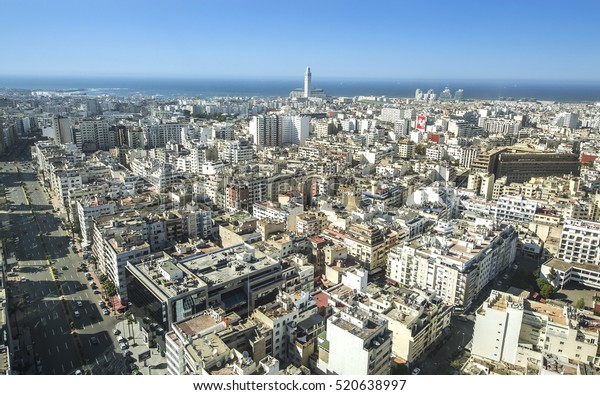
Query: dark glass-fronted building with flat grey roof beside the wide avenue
{"points": [[232, 278]]}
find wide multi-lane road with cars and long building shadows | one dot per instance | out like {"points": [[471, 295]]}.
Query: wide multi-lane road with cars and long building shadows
{"points": [[63, 340]]}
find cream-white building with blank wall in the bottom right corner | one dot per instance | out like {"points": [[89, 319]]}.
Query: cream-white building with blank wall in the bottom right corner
{"points": [[522, 332]]}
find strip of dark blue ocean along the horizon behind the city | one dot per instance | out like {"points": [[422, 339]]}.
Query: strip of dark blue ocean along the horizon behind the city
{"points": [[171, 88]]}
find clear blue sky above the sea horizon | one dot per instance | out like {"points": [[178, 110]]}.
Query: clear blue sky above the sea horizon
{"points": [[509, 40]]}
